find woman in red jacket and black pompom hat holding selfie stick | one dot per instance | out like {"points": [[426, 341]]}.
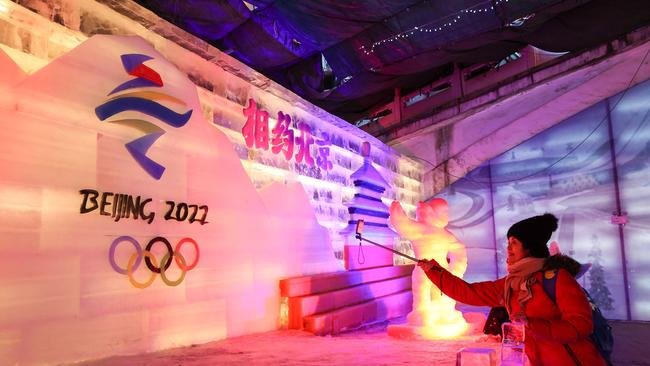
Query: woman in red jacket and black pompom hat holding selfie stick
{"points": [[557, 333]]}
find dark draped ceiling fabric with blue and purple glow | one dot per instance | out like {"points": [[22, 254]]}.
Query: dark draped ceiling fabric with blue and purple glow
{"points": [[372, 47]]}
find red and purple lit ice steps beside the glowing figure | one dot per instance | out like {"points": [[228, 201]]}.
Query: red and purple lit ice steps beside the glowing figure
{"points": [[333, 302]]}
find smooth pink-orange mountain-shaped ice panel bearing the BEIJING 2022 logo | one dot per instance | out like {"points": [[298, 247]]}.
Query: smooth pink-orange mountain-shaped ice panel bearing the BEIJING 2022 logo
{"points": [[61, 298]]}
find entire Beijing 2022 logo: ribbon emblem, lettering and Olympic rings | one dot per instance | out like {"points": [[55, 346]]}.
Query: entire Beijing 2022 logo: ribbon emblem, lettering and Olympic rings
{"points": [[124, 98]]}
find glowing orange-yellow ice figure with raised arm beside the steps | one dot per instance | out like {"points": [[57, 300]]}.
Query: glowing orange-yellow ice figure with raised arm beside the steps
{"points": [[434, 315]]}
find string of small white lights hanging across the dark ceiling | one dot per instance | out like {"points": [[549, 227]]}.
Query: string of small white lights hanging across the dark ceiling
{"points": [[432, 27]]}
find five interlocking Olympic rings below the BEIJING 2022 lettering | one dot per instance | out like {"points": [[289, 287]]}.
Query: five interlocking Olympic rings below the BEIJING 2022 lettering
{"points": [[151, 262]]}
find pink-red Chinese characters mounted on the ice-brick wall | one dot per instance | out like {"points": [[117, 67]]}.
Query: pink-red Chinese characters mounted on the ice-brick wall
{"points": [[283, 139]]}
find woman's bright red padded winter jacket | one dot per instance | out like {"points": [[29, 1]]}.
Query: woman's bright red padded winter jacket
{"points": [[550, 324]]}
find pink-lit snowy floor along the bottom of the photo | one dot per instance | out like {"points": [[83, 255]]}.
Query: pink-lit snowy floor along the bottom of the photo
{"points": [[368, 346]]}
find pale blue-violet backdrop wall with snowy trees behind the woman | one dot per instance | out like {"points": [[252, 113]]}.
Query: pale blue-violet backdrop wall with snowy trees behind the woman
{"points": [[576, 170]]}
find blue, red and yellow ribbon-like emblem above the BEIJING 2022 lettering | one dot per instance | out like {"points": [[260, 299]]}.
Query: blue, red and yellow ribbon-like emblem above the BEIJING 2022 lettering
{"points": [[145, 101]]}
